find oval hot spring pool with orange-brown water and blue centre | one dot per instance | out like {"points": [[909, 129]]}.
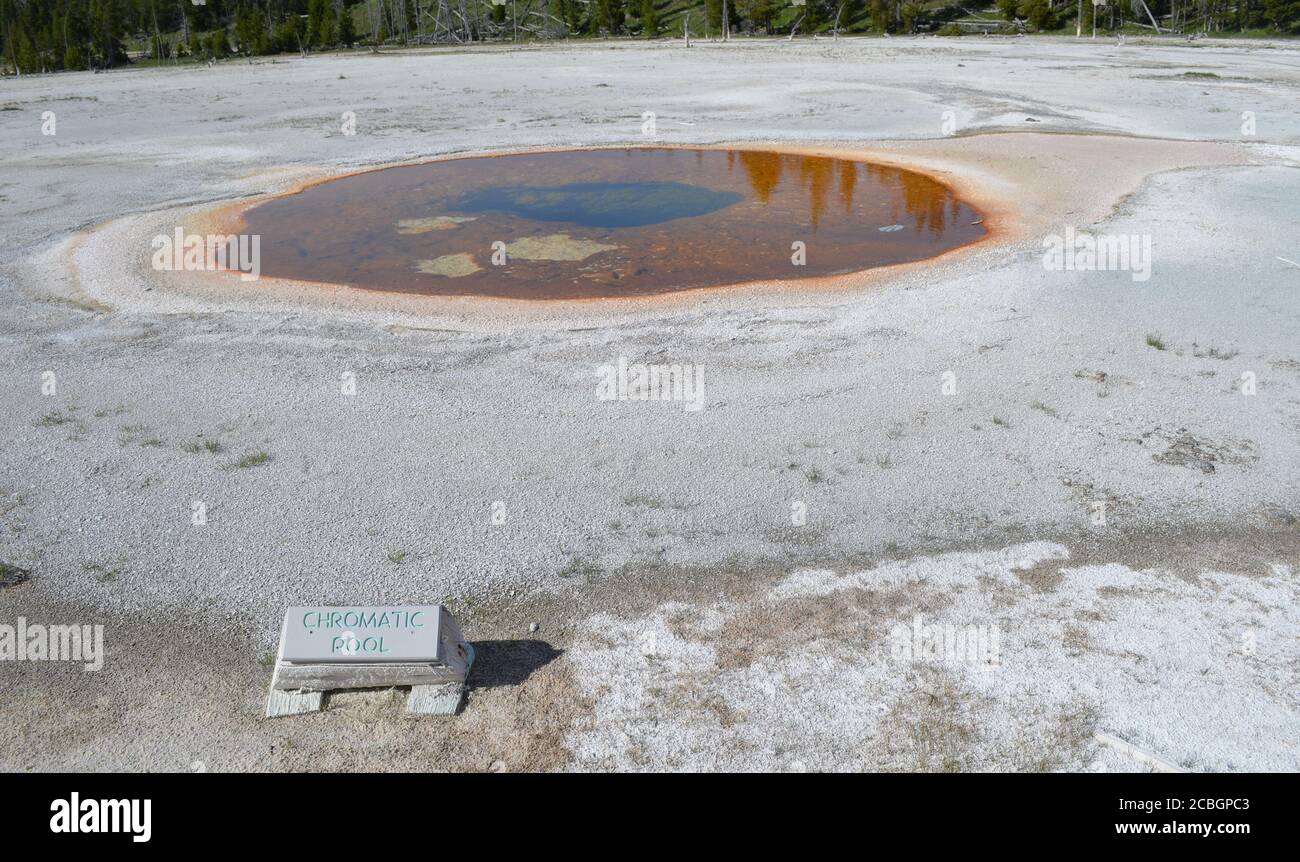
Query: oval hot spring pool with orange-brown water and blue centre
{"points": [[608, 223]]}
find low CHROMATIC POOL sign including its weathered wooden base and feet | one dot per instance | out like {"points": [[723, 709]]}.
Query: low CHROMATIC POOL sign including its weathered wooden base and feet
{"points": [[324, 649]]}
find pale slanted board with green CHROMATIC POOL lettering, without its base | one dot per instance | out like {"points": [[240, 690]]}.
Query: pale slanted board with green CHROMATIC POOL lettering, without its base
{"points": [[362, 635]]}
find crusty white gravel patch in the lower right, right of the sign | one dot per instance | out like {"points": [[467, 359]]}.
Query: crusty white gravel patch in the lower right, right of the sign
{"points": [[1143, 655]]}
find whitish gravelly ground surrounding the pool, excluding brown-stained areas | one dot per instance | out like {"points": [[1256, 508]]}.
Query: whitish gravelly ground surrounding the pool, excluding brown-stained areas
{"points": [[834, 405]]}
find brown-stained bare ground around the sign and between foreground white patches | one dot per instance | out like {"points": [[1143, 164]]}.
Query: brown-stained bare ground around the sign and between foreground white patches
{"points": [[187, 694]]}
